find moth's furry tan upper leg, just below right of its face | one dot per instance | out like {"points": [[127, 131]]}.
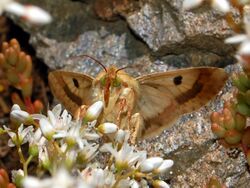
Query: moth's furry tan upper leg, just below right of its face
{"points": [[126, 104]]}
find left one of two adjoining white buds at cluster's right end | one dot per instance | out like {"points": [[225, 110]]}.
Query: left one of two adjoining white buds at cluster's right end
{"points": [[150, 164]]}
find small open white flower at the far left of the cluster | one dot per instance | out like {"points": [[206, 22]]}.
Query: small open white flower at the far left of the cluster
{"points": [[23, 135]]}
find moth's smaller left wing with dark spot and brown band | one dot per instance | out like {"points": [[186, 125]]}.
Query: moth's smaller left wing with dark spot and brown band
{"points": [[72, 89]]}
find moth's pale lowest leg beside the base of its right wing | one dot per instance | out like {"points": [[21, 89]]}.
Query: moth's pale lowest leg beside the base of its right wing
{"points": [[135, 127]]}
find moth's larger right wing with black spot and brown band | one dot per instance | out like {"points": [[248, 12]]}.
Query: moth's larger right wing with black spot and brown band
{"points": [[166, 96]]}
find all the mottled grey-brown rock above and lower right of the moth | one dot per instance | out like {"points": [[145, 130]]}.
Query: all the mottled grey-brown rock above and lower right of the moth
{"points": [[156, 37]]}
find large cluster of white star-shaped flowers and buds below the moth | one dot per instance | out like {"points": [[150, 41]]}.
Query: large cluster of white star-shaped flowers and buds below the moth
{"points": [[80, 153]]}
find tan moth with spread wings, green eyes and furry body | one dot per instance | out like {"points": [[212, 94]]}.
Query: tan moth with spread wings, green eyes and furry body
{"points": [[147, 104]]}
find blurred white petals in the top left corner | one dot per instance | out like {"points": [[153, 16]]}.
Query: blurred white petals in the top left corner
{"points": [[32, 14]]}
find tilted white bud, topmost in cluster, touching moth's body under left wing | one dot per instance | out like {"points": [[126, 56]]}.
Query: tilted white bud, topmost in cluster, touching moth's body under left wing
{"points": [[94, 111]]}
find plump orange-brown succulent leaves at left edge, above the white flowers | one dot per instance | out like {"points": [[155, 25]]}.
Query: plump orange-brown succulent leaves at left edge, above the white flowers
{"points": [[17, 69]]}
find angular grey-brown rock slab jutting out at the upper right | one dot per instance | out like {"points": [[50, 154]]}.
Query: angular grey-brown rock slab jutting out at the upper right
{"points": [[167, 28]]}
